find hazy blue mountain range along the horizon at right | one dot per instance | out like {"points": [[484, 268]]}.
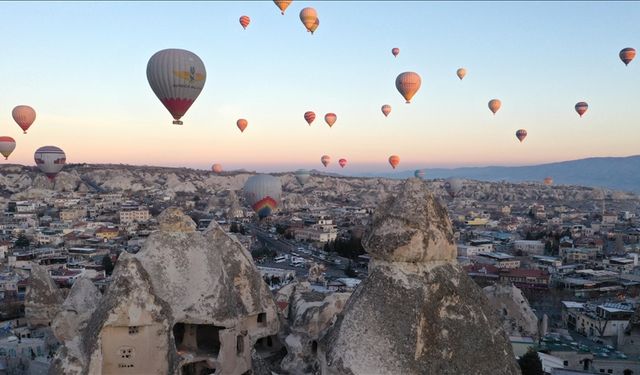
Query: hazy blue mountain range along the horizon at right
{"points": [[619, 173]]}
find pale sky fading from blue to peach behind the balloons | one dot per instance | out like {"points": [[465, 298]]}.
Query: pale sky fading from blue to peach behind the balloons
{"points": [[82, 66]]}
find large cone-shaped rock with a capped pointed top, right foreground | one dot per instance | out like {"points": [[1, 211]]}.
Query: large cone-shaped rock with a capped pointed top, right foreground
{"points": [[417, 312]]}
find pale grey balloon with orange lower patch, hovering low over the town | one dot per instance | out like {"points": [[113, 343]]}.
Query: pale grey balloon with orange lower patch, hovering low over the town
{"points": [[263, 192]]}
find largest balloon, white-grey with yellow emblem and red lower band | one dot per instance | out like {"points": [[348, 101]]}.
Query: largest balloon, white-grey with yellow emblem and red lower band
{"points": [[176, 77]]}
